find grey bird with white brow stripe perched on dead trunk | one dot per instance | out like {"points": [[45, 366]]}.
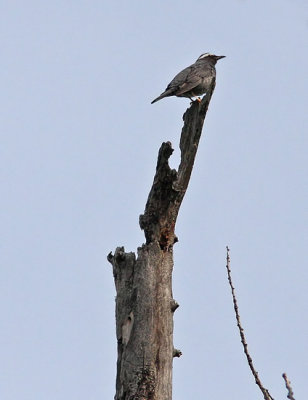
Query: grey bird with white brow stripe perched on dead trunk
{"points": [[194, 80]]}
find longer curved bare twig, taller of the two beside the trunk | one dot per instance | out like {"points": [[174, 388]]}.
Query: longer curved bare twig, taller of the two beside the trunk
{"points": [[265, 392]]}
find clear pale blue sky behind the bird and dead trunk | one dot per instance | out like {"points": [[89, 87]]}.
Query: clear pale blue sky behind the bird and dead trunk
{"points": [[79, 143]]}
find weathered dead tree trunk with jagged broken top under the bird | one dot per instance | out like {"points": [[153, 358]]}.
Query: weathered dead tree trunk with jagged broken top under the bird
{"points": [[144, 302]]}
